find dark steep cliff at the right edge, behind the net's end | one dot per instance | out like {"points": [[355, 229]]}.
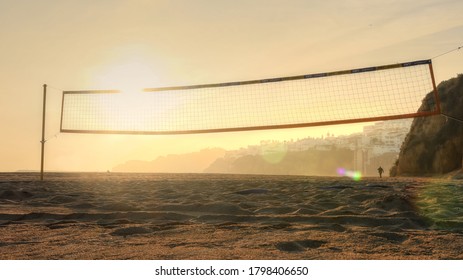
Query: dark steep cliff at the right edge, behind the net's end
{"points": [[434, 144]]}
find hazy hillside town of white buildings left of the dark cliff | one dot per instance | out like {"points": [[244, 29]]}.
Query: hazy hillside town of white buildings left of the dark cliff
{"points": [[378, 145]]}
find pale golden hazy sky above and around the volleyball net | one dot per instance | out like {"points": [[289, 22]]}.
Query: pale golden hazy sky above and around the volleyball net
{"points": [[115, 44]]}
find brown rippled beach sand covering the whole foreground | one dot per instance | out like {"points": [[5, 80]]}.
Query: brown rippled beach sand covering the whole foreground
{"points": [[206, 216]]}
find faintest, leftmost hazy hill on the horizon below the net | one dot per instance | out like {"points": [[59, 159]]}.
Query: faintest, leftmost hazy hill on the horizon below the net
{"points": [[194, 162]]}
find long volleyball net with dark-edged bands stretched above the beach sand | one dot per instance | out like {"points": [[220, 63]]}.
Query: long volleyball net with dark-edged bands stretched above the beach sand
{"points": [[367, 94]]}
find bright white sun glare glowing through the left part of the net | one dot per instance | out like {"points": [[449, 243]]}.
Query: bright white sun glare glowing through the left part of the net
{"points": [[129, 71]]}
